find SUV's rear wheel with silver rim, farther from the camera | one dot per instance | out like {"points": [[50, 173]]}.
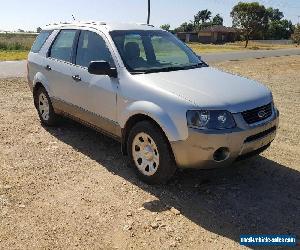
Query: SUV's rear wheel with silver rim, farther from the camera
{"points": [[44, 108]]}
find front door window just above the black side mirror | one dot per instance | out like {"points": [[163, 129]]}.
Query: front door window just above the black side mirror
{"points": [[92, 47]]}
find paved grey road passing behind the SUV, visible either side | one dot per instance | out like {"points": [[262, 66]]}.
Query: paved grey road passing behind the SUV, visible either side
{"points": [[18, 68]]}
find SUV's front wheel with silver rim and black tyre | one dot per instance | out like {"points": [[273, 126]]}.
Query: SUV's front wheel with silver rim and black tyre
{"points": [[150, 153]]}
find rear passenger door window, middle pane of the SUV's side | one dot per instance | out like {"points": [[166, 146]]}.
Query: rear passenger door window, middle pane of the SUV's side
{"points": [[62, 47]]}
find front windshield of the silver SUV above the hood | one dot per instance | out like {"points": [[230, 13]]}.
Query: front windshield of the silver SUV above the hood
{"points": [[153, 51]]}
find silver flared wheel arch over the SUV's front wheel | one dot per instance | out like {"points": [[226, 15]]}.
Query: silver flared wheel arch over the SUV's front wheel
{"points": [[154, 112]]}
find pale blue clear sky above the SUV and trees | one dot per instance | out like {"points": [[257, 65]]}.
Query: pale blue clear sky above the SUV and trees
{"points": [[29, 14]]}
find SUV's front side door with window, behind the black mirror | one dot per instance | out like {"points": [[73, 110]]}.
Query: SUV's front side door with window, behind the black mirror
{"points": [[94, 94]]}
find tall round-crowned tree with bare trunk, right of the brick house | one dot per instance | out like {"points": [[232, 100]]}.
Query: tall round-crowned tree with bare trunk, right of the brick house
{"points": [[249, 17]]}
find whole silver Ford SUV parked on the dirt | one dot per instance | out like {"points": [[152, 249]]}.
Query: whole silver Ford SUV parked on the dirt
{"points": [[148, 90]]}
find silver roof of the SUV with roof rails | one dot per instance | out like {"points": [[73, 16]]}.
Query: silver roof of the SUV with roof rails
{"points": [[101, 25]]}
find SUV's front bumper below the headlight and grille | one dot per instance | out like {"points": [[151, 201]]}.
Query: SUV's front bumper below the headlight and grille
{"points": [[198, 151]]}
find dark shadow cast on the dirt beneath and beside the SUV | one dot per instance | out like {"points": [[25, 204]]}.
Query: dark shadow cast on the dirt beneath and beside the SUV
{"points": [[257, 196]]}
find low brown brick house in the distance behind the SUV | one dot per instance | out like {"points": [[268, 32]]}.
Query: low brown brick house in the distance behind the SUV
{"points": [[211, 34]]}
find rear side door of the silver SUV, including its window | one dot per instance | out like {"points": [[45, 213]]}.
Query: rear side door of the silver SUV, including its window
{"points": [[59, 66]]}
